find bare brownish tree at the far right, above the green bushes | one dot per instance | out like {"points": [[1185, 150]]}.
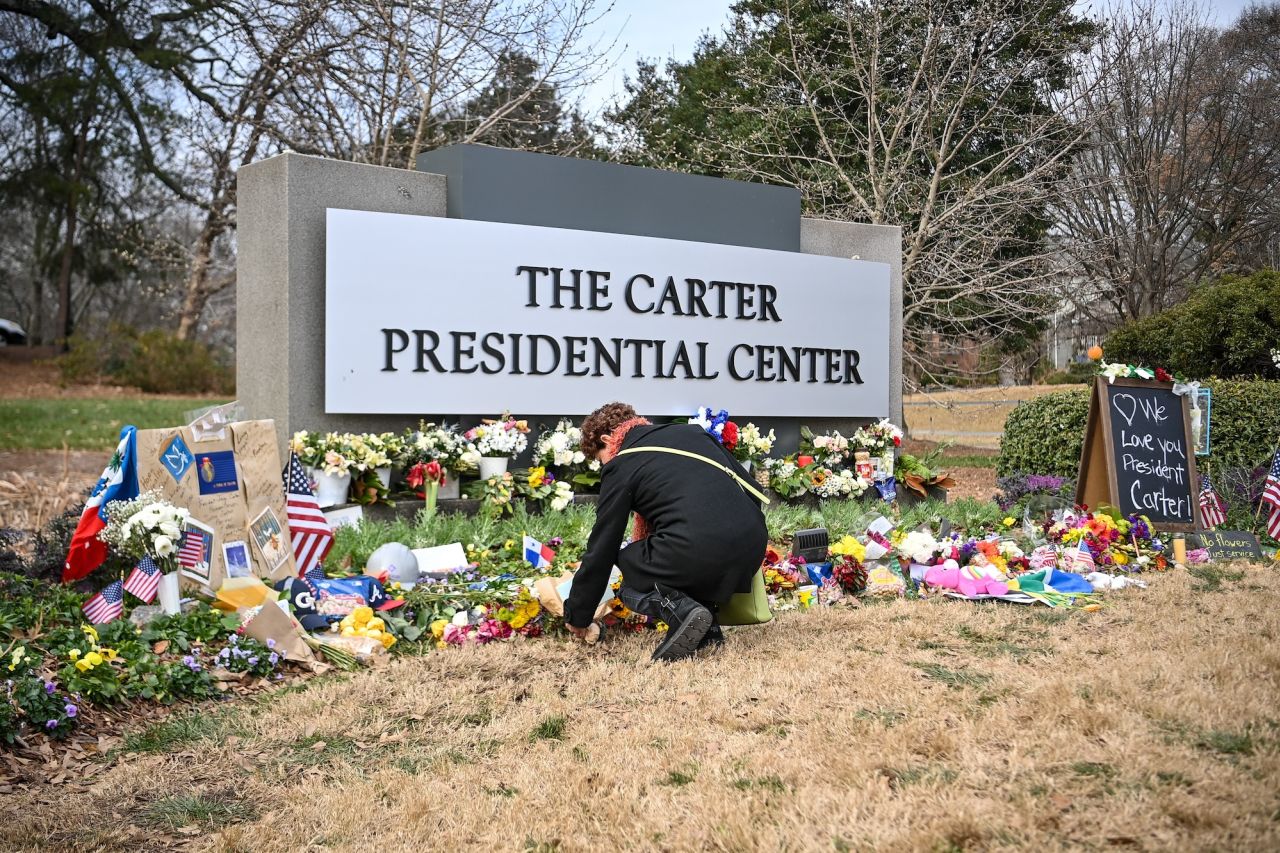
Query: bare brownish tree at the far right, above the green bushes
{"points": [[1180, 170]]}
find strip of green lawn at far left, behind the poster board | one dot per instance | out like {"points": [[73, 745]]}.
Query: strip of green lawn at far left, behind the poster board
{"points": [[88, 423]]}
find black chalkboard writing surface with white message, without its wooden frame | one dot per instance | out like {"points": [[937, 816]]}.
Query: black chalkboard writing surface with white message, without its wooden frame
{"points": [[1149, 437]]}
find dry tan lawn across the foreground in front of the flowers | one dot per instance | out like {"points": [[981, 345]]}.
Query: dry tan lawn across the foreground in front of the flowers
{"points": [[927, 726]]}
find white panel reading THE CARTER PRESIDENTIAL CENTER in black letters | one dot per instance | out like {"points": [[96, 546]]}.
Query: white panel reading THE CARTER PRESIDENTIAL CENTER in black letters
{"points": [[427, 314]]}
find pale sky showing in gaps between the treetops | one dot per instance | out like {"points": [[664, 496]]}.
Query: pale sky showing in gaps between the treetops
{"points": [[665, 29]]}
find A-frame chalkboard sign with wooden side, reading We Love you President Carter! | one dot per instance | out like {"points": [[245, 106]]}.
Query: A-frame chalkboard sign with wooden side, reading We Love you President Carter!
{"points": [[1139, 454]]}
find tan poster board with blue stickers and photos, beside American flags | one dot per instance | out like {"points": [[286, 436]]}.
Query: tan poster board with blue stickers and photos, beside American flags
{"points": [[226, 481]]}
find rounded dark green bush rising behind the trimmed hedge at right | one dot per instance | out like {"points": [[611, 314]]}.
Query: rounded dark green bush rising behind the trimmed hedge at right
{"points": [[1226, 329]]}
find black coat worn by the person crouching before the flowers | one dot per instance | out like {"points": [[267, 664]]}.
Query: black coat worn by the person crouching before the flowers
{"points": [[707, 535]]}
